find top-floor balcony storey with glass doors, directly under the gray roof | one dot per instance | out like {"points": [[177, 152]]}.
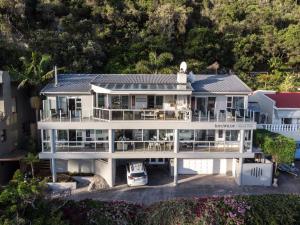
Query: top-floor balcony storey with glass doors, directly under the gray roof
{"points": [[100, 107]]}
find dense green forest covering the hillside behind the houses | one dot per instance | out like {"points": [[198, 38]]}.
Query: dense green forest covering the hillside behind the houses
{"points": [[152, 36]]}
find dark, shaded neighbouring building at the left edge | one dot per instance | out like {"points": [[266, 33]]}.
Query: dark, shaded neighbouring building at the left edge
{"points": [[14, 125]]}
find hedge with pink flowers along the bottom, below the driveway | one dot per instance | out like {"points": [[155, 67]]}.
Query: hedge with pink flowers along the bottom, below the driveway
{"points": [[238, 210]]}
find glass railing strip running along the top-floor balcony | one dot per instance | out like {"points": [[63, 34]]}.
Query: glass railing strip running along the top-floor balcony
{"points": [[100, 114]]}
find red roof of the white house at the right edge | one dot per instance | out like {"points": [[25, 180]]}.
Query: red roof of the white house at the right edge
{"points": [[286, 99]]}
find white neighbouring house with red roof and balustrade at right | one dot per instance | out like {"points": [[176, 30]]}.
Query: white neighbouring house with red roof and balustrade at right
{"points": [[279, 112]]}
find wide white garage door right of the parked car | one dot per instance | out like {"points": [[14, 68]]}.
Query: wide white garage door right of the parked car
{"points": [[205, 166]]}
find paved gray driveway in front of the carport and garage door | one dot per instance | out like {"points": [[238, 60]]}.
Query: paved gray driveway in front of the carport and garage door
{"points": [[188, 187]]}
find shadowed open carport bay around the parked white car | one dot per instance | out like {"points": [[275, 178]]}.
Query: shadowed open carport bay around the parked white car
{"points": [[158, 171]]}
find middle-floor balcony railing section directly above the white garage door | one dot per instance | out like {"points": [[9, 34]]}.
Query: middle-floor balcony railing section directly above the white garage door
{"points": [[209, 146]]}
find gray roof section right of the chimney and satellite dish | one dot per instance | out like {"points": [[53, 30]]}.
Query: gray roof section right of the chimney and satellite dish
{"points": [[219, 84]]}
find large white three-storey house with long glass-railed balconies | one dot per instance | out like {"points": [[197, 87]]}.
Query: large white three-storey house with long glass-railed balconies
{"points": [[198, 124]]}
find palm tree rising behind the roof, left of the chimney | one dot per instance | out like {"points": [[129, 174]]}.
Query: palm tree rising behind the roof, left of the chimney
{"points": [[155, 63]]}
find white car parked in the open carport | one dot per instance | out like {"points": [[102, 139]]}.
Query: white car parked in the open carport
{"points": [[136, 174]]}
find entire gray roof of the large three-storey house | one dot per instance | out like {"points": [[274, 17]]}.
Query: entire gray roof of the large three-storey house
{"points": [[81, 83]]}
